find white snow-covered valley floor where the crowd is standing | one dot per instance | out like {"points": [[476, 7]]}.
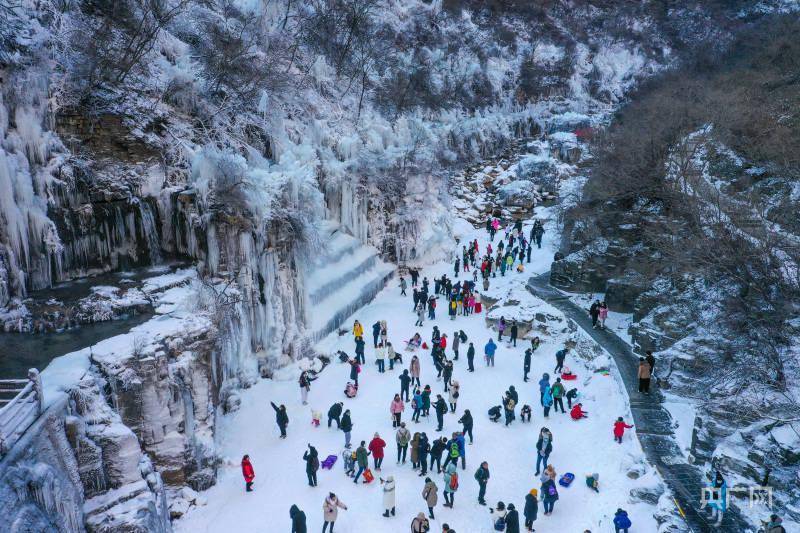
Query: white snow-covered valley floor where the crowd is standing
{"points": [[580, 447]]}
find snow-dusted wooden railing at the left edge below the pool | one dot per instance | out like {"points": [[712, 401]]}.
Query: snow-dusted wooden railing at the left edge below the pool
{"points": [[21, 401]]}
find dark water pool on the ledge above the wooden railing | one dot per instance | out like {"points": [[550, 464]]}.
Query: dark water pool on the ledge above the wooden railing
{"points": [[21, 351]]}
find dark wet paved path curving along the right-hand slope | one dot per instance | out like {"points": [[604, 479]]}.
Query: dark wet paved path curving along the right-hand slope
{"points": [[652, 421]]}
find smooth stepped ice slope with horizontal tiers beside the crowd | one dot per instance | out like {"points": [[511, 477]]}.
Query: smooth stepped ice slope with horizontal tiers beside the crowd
{"points": [[347, 276]]}
